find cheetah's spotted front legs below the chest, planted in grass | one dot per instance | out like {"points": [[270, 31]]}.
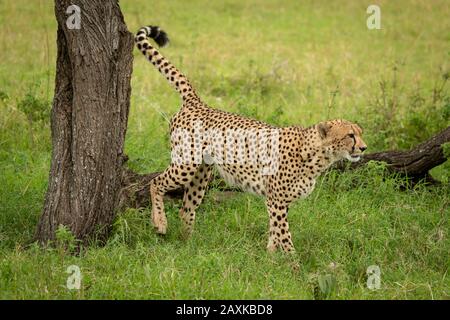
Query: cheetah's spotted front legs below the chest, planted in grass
{"points": [[279, 235]]}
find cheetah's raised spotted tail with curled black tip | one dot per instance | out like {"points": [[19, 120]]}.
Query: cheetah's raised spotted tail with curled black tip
{"points": [[167, 69]]}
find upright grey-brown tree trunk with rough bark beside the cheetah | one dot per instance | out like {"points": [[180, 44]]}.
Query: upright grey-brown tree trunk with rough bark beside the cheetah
{"points": [[88, 121]]}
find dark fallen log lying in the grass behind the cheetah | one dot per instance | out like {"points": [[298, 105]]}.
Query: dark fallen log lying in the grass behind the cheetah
{"points": [[414, 163]]}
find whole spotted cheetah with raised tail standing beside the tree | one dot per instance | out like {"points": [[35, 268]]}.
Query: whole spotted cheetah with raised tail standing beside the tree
{"points": [[279, 163]]}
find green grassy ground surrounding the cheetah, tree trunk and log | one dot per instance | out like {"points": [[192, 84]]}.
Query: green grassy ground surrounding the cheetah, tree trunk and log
{"points": [[285, 62]]}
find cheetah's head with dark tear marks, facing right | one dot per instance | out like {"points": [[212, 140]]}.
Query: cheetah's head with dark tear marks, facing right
{"points": [[342, 139]]}
